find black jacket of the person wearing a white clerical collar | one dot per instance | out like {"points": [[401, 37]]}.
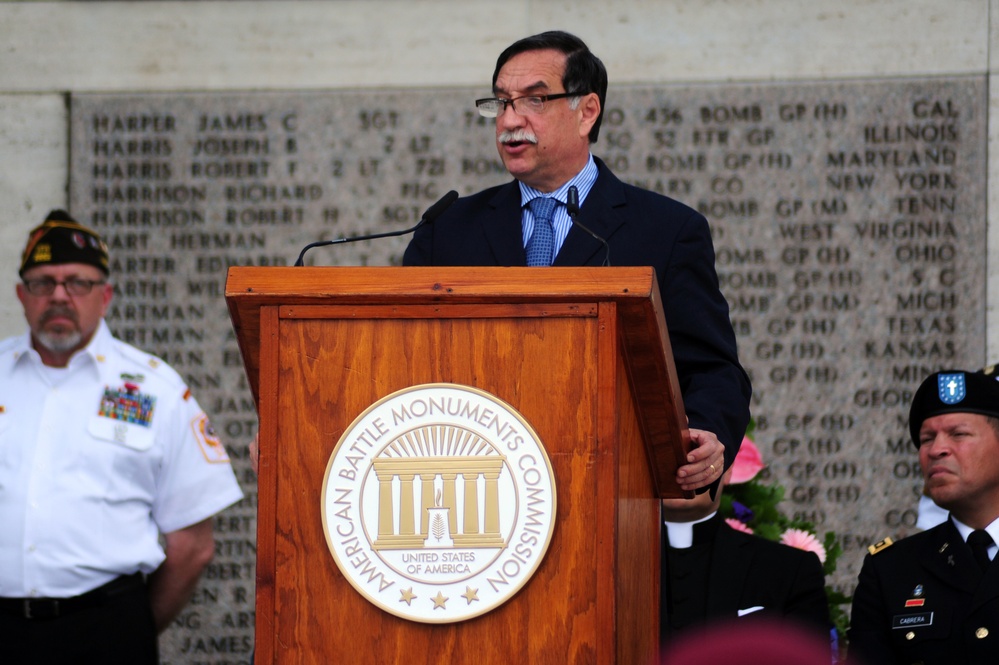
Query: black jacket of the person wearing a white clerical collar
{"points": [[747, 572]]}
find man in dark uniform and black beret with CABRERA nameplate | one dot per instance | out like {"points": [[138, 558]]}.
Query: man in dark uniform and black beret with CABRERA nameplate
{"points": [[934, 597]]}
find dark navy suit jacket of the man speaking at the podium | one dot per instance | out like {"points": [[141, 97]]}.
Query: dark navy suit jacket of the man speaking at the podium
{"points": [[642, 229]]}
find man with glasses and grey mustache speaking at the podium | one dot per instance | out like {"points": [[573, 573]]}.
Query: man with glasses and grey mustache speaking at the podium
{"points": [[565, 208]]}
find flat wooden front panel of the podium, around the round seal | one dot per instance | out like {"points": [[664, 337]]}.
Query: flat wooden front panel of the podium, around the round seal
{"points": [[334, 362]]}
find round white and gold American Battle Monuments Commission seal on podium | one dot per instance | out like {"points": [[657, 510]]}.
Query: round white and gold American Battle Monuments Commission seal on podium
{"points": [[439, 503]]}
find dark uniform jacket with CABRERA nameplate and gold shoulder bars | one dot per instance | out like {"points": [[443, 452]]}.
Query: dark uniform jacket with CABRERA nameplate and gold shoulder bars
{"points": [[958, 620]]}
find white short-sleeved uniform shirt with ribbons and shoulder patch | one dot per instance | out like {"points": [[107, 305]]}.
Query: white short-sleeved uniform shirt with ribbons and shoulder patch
{"points": [[83, 494]]}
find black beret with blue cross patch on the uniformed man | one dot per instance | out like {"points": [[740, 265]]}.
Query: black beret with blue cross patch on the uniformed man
{"points": [[954, 391]]}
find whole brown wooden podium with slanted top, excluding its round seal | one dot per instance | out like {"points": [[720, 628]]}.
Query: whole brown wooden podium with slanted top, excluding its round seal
{"points": [[581, 353]]}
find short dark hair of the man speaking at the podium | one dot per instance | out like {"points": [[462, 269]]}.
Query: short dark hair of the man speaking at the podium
{"points": [[584, 73]]}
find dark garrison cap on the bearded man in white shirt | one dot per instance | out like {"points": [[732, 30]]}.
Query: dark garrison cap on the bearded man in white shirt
{"points": [[61, 239]]}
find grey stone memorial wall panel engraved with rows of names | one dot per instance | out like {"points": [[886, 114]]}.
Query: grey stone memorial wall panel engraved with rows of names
{"points": [[849, 225]]}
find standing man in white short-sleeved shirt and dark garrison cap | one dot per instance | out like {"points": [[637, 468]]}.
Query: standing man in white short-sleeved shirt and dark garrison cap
{"points": [[104, 454]]}
